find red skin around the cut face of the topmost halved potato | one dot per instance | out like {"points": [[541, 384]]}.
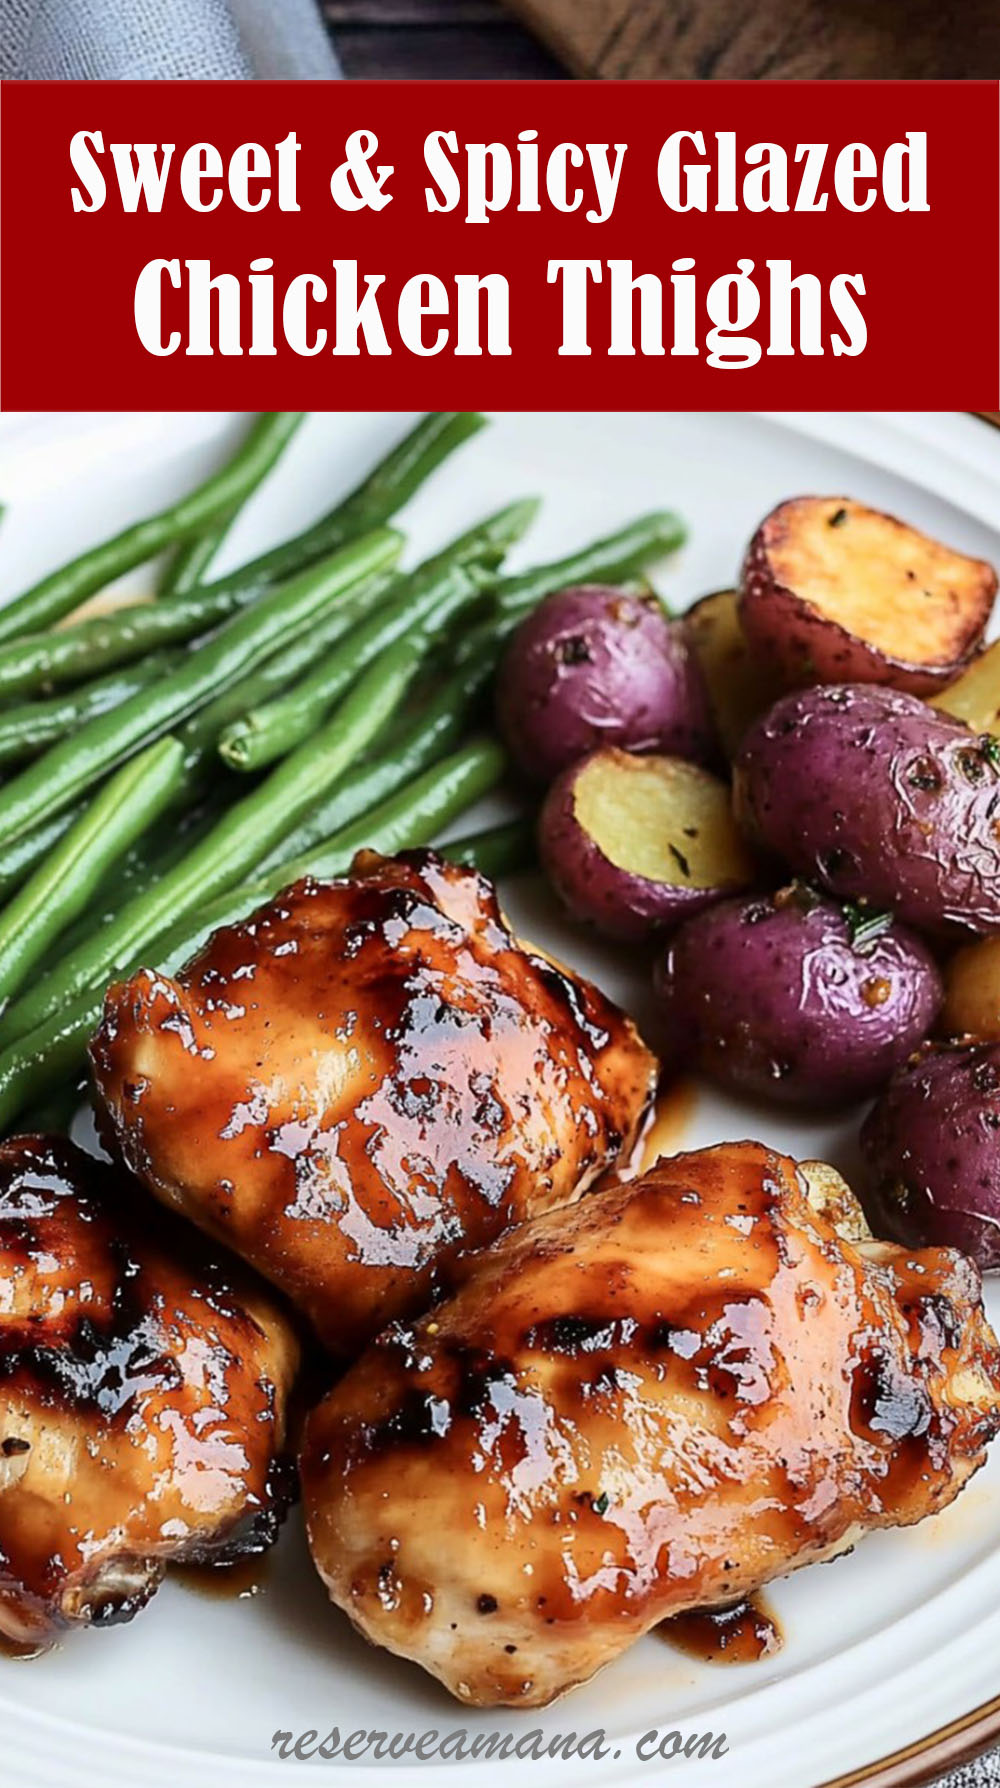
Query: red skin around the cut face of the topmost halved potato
{"points": [[806, 646]]}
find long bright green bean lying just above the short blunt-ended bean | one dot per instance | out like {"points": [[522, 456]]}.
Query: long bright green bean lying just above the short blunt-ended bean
{"points": [[67, 770]]}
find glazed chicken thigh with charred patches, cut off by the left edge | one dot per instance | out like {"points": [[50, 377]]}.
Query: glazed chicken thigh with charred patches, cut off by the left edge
{"points": [[142, 1397]]}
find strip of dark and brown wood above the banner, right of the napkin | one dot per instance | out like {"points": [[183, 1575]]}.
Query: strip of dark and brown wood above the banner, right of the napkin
{"points": [[691, 40]]}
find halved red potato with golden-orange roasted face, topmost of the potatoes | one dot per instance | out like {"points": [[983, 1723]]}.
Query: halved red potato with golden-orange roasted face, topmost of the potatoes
{"points": [[836, 593]]}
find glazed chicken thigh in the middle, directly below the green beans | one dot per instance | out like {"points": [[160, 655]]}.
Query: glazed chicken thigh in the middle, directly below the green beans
{"points": [[366, 1079]]}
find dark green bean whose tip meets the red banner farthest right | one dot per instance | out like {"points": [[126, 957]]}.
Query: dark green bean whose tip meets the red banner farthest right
{"points": [[373, 503]]}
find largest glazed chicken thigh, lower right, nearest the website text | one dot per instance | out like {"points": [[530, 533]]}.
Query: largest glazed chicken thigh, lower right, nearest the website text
{"points": [[652, 1403]]}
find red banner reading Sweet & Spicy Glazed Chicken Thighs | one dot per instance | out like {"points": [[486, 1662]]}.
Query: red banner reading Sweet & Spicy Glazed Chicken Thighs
{"points": [[502, 246]]}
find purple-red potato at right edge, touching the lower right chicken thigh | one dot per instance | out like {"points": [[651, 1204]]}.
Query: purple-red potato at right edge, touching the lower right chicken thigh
{"points": [[933, 1152]]}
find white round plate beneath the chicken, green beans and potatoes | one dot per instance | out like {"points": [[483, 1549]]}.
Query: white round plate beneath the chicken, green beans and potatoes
{"points": [[881, 1648]]}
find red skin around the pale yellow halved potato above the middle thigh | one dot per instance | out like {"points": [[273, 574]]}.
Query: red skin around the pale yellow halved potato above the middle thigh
{"points": [[618, 902]]}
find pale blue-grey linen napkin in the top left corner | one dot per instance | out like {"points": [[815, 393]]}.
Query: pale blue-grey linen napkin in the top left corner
{"points": [[164, 40]]}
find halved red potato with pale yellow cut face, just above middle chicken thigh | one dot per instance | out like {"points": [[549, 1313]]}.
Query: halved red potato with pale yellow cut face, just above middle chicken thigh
{"points": [[638, 843]]}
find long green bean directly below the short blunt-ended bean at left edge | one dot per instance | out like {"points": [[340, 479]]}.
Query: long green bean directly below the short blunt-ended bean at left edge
{"points": [[233, 847]]}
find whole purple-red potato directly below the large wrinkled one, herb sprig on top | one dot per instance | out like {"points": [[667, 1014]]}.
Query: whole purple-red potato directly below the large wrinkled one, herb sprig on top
{"points": [[774, 1000]]}
